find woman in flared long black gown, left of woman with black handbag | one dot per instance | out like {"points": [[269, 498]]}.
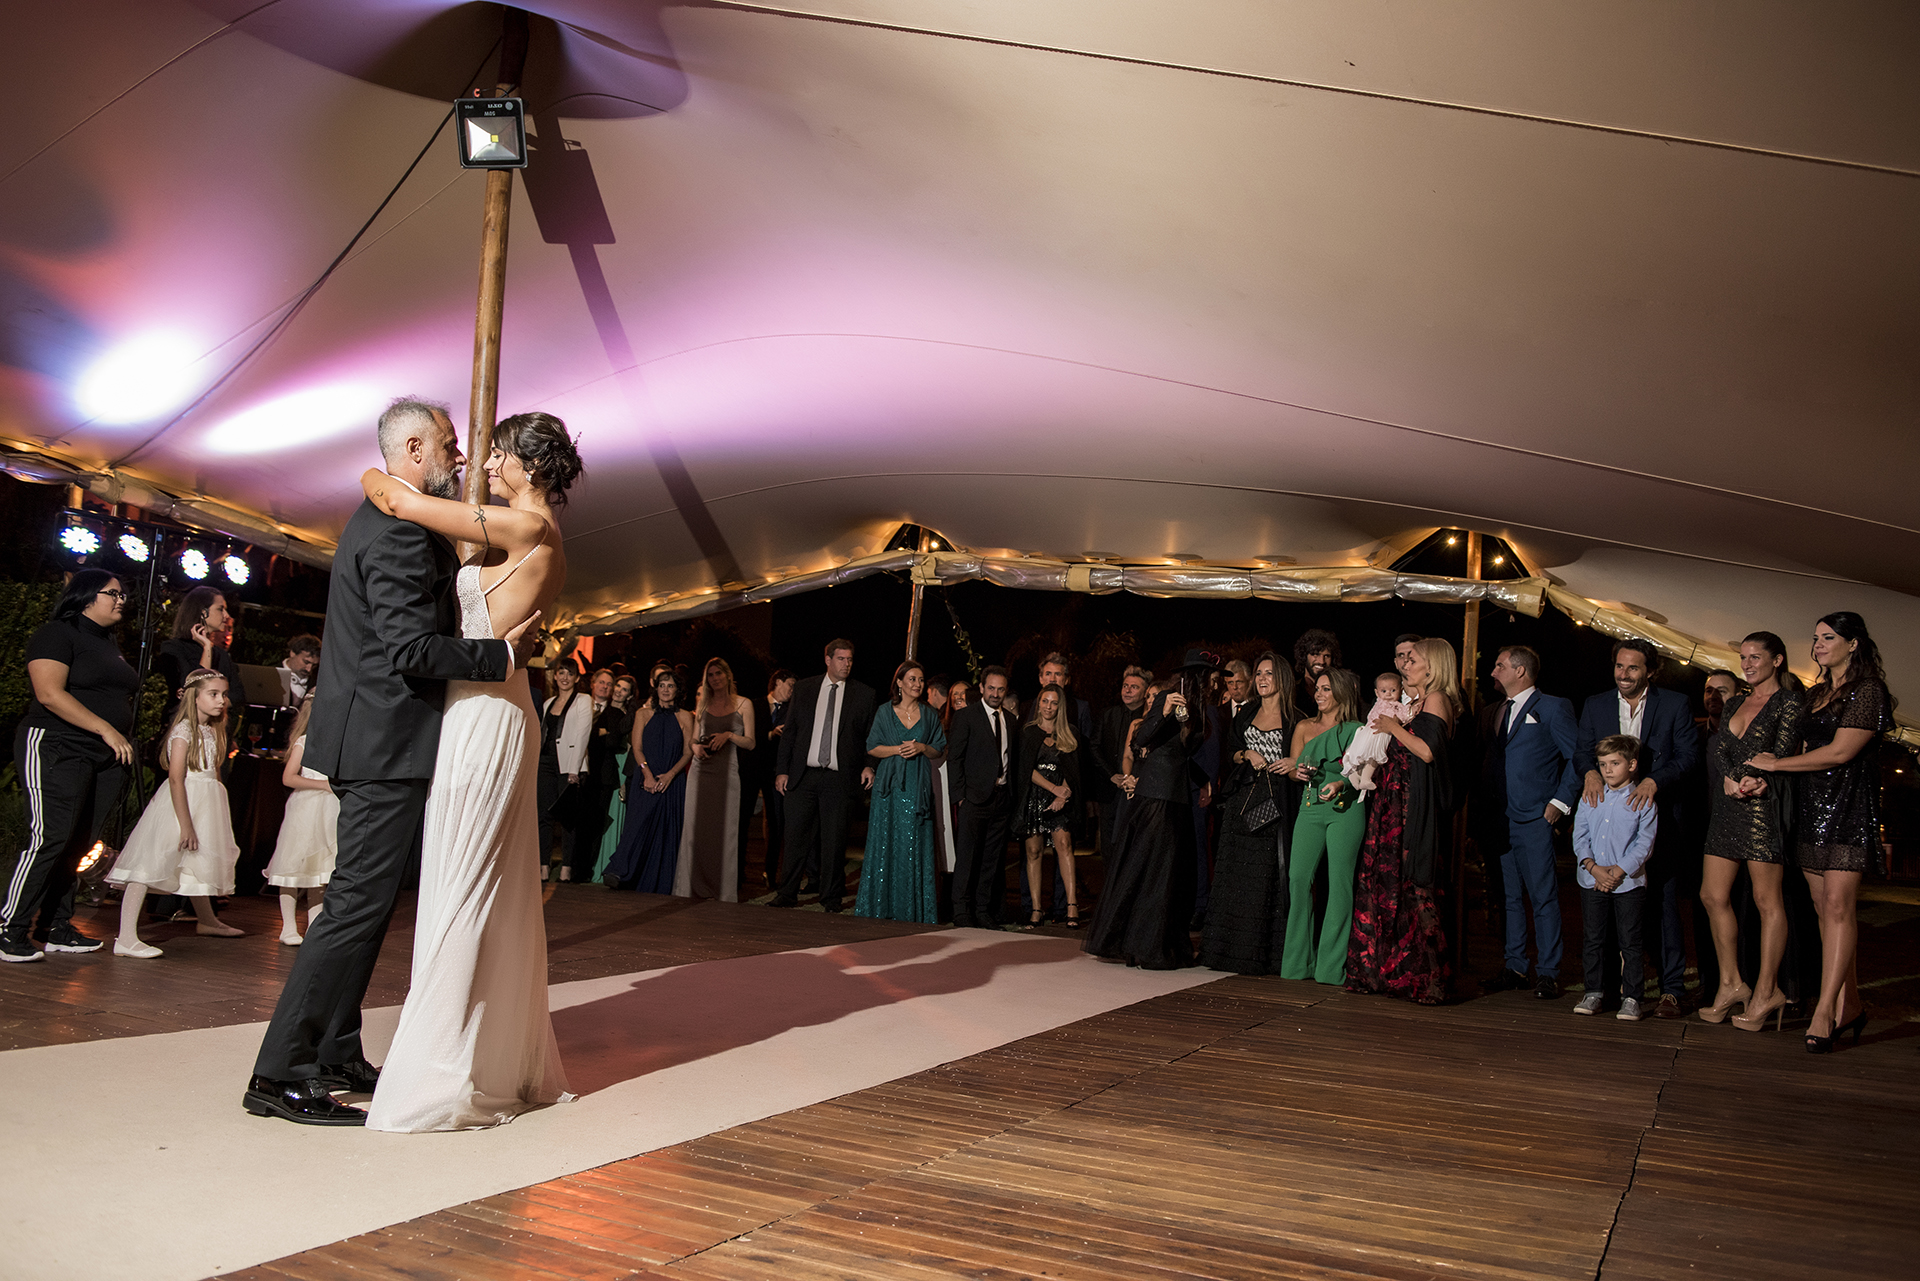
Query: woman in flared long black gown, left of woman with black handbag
{"points": [[1151, 879]]}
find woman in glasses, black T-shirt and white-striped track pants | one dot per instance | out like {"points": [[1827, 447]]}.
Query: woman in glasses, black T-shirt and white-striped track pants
{"points": [[72, 754]]}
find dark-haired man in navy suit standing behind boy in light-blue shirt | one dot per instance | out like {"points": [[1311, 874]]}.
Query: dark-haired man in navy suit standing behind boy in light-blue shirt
{"points": [[1669, 752]]}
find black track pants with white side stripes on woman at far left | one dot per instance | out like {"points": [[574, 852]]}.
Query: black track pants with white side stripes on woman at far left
{"points": [[72, 783]]}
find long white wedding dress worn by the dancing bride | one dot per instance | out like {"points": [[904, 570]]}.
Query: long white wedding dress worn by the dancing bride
{"points": [[475, 1044]]}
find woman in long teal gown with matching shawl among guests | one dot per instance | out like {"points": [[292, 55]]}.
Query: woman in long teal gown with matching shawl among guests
{"points": [[898, 873]]}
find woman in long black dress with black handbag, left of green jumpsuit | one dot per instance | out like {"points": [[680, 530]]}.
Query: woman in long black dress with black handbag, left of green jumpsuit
{"points": [[1249, 902]]}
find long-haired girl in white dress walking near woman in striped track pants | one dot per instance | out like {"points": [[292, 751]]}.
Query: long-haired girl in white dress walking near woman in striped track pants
{"points": [[185, 840]]}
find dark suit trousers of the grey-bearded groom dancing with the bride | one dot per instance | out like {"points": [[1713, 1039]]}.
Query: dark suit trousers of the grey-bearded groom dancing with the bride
{"points": [[318, 1021]]}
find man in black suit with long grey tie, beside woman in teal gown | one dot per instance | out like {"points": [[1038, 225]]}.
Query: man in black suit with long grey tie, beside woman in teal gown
{"points": [[823, 754]]}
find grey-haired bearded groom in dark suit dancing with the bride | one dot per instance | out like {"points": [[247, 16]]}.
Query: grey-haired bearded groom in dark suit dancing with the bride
{"points": [[393, 642]]}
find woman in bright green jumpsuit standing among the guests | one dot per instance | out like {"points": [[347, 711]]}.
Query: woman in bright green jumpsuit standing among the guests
{"points": [[1333, 823]]}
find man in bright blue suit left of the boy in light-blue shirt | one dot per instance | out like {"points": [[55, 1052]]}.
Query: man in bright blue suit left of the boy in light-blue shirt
{"points": [[1531, 761]]}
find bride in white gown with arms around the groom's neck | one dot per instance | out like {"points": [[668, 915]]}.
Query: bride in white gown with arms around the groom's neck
{"points": [[475, 1044]]}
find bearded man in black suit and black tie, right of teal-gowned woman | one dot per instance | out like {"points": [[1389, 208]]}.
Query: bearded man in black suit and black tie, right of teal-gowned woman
{"points": [[980, 758]]}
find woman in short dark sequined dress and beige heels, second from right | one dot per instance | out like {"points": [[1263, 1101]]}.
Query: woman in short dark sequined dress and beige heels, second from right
{"points": [[1748, 829]]}
